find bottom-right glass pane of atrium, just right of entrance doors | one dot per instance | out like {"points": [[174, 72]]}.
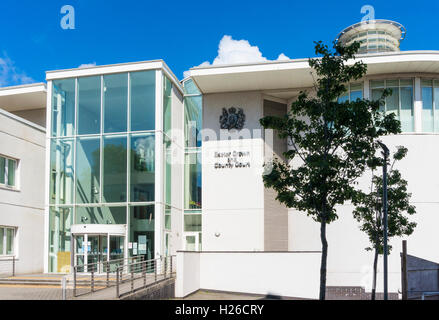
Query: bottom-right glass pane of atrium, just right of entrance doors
{"points": [[141, 230]]}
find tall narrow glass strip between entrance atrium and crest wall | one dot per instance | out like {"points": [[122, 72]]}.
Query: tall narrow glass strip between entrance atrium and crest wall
{"points": [[193, 116]]}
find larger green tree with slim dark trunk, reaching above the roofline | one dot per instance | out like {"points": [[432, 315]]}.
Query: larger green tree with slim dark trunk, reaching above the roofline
{"points": [[331, 142]]}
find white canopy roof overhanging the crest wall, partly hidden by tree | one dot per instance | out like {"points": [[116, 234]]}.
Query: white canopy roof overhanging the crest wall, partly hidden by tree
{"points": [[285, 79]]}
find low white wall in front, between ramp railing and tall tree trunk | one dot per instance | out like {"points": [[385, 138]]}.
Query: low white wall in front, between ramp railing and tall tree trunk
{"points": [[287, 274]]}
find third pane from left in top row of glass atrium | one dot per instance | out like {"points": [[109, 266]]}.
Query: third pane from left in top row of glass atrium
{"points": [[115, 102]]}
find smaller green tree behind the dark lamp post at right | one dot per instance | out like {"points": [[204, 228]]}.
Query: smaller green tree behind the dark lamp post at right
{"points": [[369, 207]]}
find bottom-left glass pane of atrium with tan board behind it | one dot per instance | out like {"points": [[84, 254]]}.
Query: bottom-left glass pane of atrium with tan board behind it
{"points": [[60, 221]]}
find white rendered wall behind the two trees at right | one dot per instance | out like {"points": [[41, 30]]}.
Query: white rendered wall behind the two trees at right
{"points": [[348, 263]]}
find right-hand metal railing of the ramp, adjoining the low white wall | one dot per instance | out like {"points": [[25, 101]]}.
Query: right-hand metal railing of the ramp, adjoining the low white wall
{"points": [[139, 275]]}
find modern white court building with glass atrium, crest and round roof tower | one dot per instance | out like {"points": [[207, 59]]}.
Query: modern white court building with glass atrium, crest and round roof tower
{"points": [[139, 163]]}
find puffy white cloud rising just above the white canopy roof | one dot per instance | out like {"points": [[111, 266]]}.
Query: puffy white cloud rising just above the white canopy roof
{"points": [[232, 51]]}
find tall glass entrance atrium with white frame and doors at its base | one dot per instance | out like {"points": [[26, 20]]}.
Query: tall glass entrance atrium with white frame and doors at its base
{"points": [[106, 138]]}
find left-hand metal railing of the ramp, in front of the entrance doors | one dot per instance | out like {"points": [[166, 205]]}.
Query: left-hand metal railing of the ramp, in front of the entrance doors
{"points": [[96, 276]]}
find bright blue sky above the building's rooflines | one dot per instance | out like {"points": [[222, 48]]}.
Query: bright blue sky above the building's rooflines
{"points": [[184, 33]]}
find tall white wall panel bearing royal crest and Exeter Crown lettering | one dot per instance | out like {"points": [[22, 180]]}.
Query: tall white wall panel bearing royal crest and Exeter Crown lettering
{"points": [[233, 198]]}
